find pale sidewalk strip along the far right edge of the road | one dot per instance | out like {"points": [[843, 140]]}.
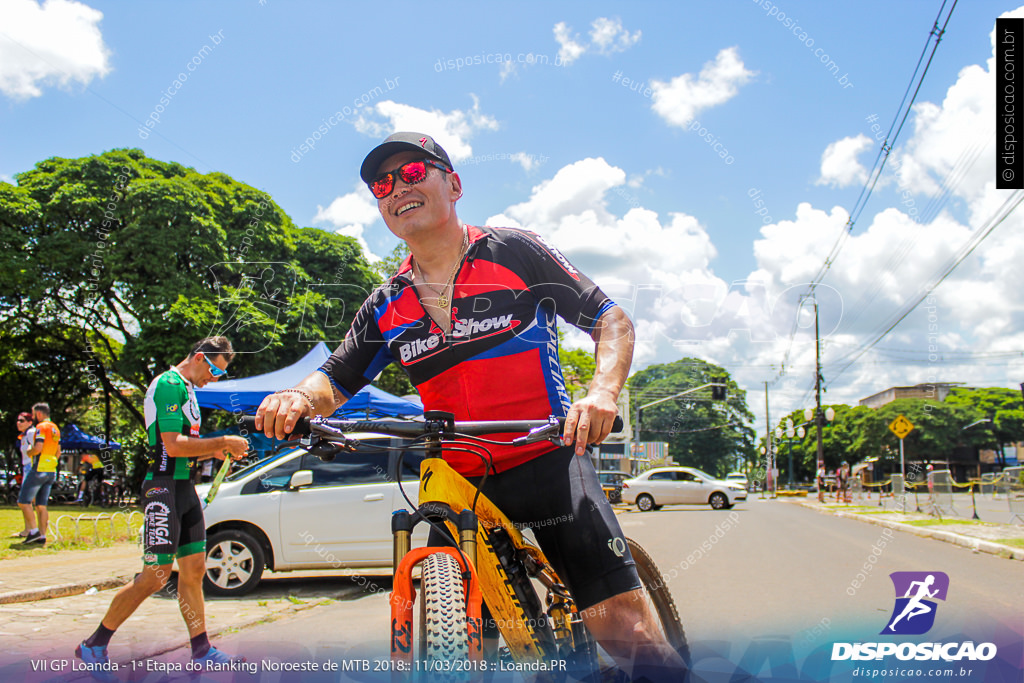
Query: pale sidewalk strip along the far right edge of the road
{"points": [[985, 537]]}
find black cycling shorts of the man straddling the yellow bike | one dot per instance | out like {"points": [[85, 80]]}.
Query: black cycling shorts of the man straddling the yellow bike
{"points": [[560, 497]]}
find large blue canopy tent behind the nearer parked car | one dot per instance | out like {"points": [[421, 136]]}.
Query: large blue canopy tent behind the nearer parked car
{"points": [[244, 397]]}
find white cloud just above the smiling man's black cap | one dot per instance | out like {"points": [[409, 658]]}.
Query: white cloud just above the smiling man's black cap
{"points": [[453, 131]]}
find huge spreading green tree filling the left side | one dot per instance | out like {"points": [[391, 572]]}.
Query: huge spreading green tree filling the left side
{"points": [[112, 266]]}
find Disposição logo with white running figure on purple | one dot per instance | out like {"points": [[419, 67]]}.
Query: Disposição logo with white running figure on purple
{"points": [[914, 615]]}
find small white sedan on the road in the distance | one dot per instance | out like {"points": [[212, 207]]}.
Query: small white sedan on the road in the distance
{"points": [[680, 486]]}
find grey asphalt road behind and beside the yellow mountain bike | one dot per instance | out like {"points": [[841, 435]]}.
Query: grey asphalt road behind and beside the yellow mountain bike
{"points": [[764, 571]]}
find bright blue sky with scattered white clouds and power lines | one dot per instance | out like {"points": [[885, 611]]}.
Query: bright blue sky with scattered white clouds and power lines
{"points": [[739, 108]]}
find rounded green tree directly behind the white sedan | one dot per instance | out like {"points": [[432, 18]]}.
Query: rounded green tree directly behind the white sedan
{"points": [[705, 434]]}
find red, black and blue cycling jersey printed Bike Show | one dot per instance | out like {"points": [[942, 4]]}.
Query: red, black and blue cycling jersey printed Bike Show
{"points": [[500, 361]]}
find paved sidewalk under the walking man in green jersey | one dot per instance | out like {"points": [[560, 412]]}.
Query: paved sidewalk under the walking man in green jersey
{"points": [[48, 608]]}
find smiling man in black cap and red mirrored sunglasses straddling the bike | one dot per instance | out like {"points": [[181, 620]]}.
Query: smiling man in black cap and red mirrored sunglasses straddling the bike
{"points": [[471, 317]]}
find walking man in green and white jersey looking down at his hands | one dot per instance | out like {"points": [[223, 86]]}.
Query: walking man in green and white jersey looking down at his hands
{"points": [[174, 516]]}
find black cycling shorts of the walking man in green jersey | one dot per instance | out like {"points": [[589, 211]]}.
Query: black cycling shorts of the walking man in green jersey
{"points": [[174, 525]]}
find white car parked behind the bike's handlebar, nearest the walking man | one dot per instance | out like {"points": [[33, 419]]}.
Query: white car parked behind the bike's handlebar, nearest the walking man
{"points": [[294, 511]]}
